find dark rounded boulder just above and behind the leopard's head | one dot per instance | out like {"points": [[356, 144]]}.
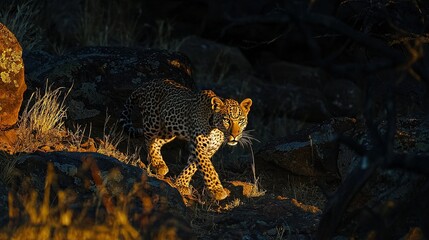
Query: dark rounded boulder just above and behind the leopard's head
{"points": [[214, 62]]}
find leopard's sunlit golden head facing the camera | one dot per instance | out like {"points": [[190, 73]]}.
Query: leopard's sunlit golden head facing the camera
{"points": [[231, 118]]}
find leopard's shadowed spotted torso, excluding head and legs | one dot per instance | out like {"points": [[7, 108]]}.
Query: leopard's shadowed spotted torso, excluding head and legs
{"points": [[165, 107]]}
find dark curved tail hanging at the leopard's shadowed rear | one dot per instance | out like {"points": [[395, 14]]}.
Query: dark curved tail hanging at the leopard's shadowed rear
{"points": [[126, 117]]}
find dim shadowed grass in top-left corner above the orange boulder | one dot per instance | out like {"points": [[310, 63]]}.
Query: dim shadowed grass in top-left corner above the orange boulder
{"points": [[20, 20]]}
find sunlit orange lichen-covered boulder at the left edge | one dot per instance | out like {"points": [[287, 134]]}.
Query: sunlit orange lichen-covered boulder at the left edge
{"points": [[12, 84]]}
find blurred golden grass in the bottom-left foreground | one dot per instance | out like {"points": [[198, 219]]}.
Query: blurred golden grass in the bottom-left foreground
{"points": [[45, 220]]}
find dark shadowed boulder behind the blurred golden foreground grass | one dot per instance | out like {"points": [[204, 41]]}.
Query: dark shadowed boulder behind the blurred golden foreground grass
{"points": [[74, 168]]}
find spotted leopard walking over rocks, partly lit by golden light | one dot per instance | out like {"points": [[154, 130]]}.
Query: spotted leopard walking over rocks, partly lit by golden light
{"points": [[169, 110]]}
